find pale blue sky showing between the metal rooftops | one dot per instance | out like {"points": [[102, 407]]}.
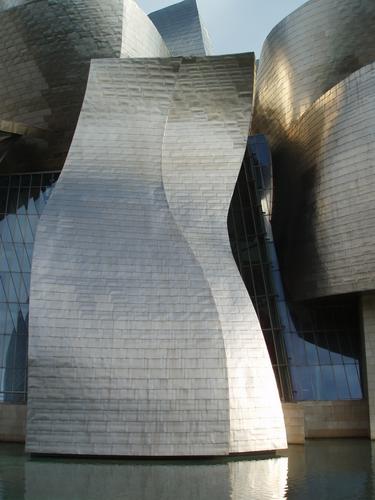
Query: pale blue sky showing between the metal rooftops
{"points": [[236, 25]]}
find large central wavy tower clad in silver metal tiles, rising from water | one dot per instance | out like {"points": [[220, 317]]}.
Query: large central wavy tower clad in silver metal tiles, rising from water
{"points": [[143, 338]]}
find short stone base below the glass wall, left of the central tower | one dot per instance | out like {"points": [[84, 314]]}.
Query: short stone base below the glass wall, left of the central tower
{"points": [[12, 423]]}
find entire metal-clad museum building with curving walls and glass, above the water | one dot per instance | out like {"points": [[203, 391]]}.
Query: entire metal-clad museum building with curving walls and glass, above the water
{"points": [[170, 283]]}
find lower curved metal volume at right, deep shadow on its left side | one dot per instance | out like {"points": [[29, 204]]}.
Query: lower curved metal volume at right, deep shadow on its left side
{"points": [[327, 237]]}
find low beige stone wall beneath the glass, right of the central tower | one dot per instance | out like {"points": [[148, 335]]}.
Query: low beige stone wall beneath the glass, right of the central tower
{"points": [[326, 419]]}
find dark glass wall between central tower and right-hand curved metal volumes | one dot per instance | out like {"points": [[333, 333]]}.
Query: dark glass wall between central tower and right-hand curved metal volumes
{"points": [[315, 347]]}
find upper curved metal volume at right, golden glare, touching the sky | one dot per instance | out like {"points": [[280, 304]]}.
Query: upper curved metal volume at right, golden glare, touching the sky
{"points": [[305, 55]]}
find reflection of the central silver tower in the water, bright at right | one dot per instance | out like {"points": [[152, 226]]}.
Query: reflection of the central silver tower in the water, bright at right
{"points": [[257, 480]]}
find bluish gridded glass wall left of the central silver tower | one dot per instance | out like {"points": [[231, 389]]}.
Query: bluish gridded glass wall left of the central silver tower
{"points": [[22, 200]]}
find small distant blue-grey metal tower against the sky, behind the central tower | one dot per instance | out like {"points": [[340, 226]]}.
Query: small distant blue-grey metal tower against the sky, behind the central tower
{"points": [[182, 30]]}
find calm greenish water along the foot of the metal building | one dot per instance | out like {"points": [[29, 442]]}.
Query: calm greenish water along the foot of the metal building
{"points": [[327, 469]]}
